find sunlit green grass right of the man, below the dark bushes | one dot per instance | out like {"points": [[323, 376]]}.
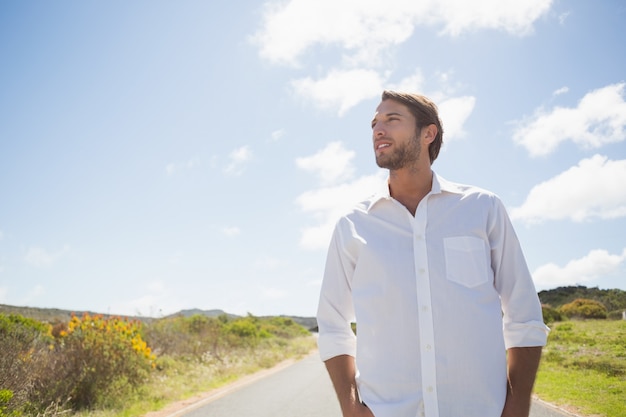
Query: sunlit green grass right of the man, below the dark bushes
{"points": [[583, 368]]}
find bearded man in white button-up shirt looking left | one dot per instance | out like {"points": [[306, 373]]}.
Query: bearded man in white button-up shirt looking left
{"points": [[448, 320]]}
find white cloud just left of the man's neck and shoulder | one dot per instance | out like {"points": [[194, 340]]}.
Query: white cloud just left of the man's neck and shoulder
{"points": [[327, 204]]}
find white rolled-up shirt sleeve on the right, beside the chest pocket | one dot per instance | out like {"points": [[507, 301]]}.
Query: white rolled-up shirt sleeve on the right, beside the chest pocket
{"points": [[523, 319]]}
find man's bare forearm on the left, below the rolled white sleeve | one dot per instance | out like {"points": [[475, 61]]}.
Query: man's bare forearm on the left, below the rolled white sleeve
{"points": [[342, 372]]}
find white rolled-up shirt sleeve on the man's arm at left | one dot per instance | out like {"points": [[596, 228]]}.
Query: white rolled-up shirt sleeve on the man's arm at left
{"points": [[335, 310]]}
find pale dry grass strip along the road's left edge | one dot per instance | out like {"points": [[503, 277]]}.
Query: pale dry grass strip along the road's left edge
{"points": [[178, 380]]}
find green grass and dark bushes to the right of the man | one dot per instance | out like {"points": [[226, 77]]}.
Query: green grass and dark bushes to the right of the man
{"points": [[583, 368]]}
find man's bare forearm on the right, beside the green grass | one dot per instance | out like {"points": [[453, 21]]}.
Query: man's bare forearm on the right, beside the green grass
{"points": [[523, 363]]}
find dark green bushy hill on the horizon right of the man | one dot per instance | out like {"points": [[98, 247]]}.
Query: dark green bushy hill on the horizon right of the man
{"points": [[613, 299]]}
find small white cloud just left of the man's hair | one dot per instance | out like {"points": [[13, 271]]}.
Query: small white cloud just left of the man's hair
{"points": [[340, 89]]}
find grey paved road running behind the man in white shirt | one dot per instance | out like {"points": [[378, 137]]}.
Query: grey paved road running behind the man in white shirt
{"points": [[300, 390]]}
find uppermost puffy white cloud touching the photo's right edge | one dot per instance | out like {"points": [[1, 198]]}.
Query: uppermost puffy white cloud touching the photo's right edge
{"points": [[599, 119]]}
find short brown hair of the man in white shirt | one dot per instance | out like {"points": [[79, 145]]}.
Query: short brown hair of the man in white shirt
{"points": [[425, 113]]}
